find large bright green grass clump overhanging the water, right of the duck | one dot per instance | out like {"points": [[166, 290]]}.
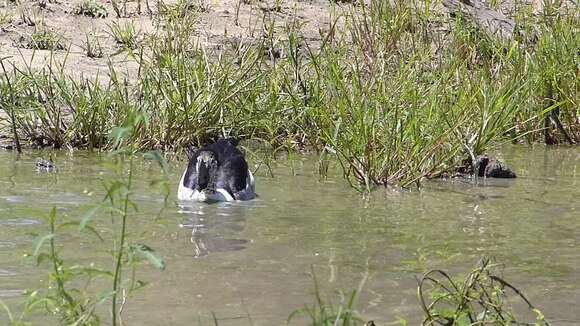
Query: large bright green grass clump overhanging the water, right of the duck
{"points": [[394, 114]]}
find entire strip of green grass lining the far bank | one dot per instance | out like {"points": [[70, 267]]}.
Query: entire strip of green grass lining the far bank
{"points": [[397, 92]]}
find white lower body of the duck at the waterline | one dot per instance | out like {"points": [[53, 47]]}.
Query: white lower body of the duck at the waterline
{"points": [[184, 193]]}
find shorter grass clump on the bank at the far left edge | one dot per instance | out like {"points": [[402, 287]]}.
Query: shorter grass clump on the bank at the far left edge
{"points": [[52, 109]]}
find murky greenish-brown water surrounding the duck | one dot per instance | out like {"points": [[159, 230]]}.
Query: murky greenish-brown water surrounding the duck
{"points": [[249, 263]]}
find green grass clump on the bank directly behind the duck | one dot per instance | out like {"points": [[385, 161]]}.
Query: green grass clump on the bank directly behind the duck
{"points": [[183, 86]]}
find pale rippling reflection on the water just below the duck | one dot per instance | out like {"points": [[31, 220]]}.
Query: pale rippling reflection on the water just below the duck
{"points": [[214, 228]]}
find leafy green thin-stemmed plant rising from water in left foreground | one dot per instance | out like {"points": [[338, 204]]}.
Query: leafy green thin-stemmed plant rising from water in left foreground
{"points": [[62, 296]]}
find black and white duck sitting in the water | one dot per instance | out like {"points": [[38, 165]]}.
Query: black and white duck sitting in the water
{"points": [[217, 172]]}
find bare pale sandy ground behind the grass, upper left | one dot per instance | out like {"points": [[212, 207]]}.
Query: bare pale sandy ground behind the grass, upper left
{"points": [[75, 25]]}
